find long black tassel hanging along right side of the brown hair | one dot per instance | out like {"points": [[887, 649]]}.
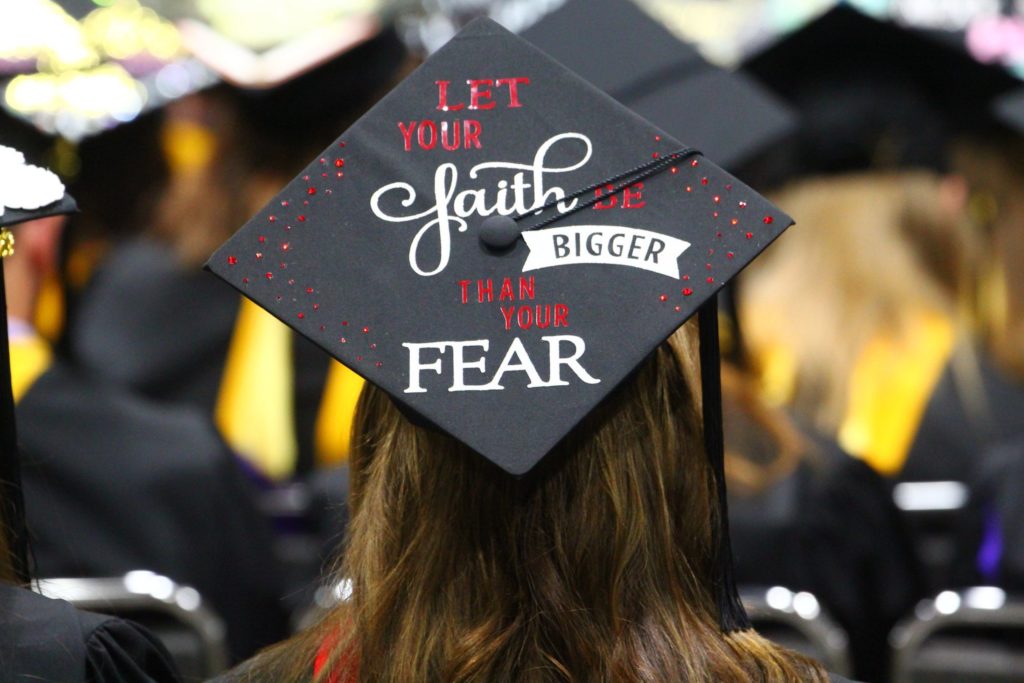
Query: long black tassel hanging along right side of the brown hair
{"points": [[733, 616]]}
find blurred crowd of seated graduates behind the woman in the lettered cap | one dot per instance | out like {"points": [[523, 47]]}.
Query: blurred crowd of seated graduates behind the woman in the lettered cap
{"points": [[184, 453]]}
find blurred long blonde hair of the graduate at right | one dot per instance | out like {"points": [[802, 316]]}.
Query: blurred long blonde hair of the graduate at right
{"points": [[871, 254]]}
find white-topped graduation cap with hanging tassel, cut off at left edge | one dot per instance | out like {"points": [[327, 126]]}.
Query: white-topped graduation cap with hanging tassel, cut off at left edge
{"points": [[27, 193]]}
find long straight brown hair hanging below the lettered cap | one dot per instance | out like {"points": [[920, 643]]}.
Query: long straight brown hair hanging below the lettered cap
{"points": [[596, 567]]}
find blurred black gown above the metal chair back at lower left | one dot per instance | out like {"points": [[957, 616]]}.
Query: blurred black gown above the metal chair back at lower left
{"points": [[114, 483]]}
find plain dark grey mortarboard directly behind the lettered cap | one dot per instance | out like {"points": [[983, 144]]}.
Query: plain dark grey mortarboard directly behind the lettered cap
{"points": [[622, 50]]}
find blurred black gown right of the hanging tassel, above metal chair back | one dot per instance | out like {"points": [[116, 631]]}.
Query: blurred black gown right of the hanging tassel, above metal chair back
{"points": [[831, 529]]}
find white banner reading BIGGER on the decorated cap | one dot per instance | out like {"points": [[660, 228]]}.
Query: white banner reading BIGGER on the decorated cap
{"points": [[614, 245]]}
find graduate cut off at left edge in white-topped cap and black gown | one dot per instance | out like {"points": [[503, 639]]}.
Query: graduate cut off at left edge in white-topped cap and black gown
{"points": [[41, 638]]}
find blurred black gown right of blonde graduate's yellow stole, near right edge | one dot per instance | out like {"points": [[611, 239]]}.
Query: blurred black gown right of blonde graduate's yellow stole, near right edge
{"points": [[952, 438]]}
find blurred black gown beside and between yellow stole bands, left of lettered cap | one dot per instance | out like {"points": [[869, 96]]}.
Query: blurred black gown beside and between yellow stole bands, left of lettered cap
{"points": [[151, 325]]}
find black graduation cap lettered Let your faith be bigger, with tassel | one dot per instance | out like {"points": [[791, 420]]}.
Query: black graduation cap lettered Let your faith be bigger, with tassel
{"points": [[498, 244]]}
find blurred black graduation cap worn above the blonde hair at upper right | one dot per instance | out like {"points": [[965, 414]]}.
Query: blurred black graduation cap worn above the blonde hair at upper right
{"points": [[876, 95]]}
